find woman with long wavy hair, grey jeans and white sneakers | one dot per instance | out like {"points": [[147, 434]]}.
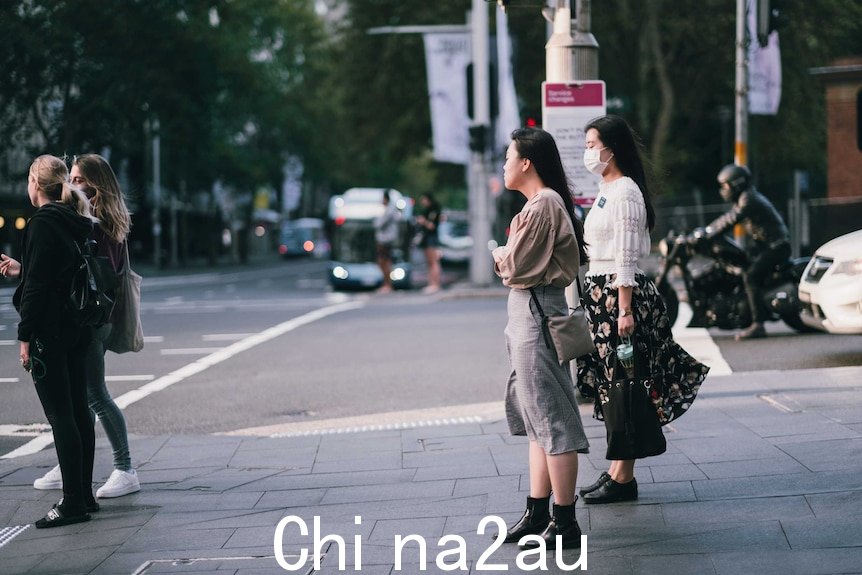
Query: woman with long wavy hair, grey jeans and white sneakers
{"points": [[93, 175]]}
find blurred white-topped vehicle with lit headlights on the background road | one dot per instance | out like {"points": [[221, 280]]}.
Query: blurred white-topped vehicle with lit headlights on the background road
{"points": [[353, 251]]}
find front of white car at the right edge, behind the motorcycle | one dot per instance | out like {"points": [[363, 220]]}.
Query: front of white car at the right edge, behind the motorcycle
{"points": [[831, 286]]}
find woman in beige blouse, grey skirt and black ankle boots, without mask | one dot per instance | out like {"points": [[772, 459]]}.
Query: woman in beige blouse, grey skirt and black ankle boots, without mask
{"points": [[542, 256]]}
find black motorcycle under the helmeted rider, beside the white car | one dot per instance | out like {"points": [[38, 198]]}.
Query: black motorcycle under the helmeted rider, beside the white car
{"points": [[712, 272]]}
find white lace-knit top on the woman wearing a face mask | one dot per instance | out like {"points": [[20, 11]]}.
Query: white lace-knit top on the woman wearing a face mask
{"points": [[616, 231]]}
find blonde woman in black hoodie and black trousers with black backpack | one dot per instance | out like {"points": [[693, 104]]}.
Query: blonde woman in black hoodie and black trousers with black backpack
{"points": [[53, 348]]}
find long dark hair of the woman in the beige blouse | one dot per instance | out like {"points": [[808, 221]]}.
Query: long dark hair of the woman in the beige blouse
{"points": [[539, 147]]}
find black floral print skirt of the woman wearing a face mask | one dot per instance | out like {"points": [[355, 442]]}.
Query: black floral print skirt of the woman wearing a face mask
{"points": [[678, 373]]}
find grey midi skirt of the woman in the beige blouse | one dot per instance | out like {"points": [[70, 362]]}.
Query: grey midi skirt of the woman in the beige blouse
{"points": [[540, 394]]}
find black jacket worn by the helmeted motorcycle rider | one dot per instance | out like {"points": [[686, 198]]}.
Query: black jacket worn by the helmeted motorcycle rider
{"points": [[762, 221]]}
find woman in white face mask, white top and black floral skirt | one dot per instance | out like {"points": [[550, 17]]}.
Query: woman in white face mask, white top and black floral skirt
{"points": [[620, 300]]}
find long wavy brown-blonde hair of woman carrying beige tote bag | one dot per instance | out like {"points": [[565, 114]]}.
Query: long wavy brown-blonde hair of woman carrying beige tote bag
{"points": [[107, 202]]}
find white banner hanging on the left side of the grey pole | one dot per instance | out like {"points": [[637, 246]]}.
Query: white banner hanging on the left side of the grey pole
{"points": [[447, 57]]}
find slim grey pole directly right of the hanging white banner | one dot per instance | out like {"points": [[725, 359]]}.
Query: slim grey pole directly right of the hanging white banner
{"points": [[479, 195]]}
